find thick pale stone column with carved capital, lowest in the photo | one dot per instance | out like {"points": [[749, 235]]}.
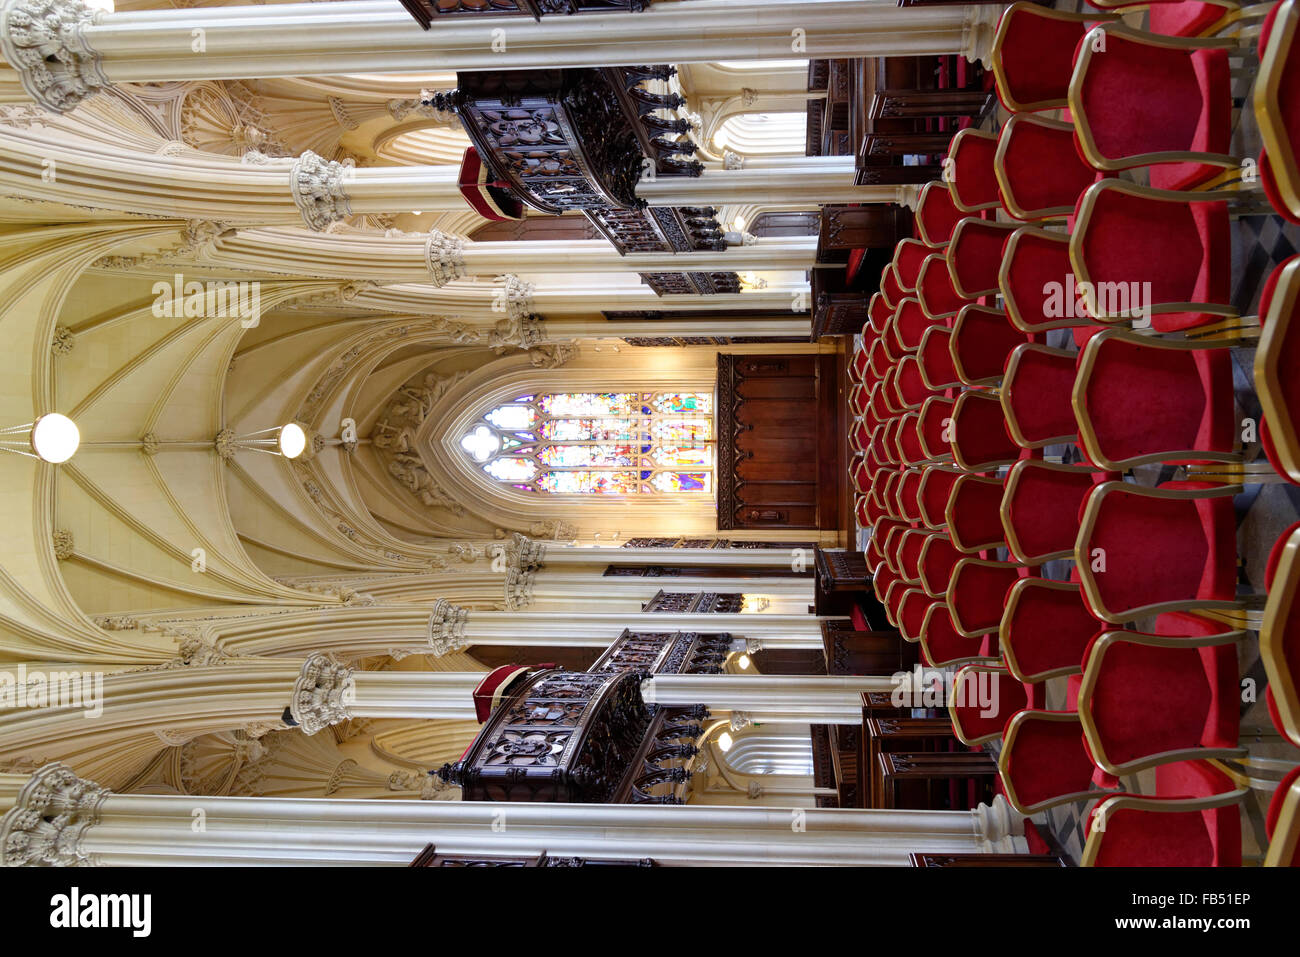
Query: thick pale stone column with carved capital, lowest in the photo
{"points": [[57, 819]]}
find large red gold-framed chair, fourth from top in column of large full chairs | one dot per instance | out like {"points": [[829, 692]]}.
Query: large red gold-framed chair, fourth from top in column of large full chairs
{"points": [[1165, 549]]}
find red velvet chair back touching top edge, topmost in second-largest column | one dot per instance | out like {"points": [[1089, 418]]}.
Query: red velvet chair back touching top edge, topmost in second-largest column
{"points": [[1037, 57]]}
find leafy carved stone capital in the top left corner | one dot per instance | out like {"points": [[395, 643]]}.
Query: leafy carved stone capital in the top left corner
{"points": [[45, 42]]}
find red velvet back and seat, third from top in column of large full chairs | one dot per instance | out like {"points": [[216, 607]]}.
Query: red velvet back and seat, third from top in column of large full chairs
{"points": [[1150, 401]]}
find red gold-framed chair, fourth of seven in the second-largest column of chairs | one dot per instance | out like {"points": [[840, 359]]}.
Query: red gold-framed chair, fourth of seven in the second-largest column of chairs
{"points": [[1037, 396]]}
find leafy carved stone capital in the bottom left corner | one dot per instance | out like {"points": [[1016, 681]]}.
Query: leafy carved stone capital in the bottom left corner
{"points": [[50, 819]]}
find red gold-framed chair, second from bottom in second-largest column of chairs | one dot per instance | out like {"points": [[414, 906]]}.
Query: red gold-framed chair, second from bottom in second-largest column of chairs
{"points": [[1046, 630]]}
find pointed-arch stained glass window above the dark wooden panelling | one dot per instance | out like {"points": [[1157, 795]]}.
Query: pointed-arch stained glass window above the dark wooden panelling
{"points": [[599, 444]]}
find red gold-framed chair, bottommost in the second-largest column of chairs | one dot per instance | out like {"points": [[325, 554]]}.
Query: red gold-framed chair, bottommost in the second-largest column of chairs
{"points": [[1045, 761]]}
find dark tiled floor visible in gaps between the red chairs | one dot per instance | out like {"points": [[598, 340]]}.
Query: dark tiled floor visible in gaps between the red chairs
{"points": [[1264, 510]]}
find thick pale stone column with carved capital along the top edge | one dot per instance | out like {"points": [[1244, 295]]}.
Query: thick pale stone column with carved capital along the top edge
{"points": [[66, 53]]}
